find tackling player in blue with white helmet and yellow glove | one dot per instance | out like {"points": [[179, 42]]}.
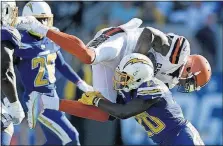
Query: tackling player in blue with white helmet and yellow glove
{"points": [[149, 101]]}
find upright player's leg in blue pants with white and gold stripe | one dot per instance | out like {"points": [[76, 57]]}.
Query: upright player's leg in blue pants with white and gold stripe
{"points": [[57, 129]]}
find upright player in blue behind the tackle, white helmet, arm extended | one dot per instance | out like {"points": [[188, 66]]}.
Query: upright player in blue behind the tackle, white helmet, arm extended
{"points": [[37, 59]]}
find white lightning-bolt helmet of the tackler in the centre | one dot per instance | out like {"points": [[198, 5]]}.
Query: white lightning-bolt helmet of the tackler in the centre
{"points": [[133, 70]]}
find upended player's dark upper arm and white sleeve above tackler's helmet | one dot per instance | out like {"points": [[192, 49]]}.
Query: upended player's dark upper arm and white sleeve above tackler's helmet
{"points": [[153, 38]]}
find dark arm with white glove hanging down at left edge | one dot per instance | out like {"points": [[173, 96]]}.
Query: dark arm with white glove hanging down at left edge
{"points": [[8, 82]]}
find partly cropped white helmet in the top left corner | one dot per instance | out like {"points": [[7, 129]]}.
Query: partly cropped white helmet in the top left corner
{"points": [[9, 12]]}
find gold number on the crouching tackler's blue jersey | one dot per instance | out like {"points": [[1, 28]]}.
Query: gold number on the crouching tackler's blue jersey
{"points": [[151, 124]]}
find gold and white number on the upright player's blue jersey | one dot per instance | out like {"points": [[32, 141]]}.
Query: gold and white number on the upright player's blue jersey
{"points": [[45, 64]]}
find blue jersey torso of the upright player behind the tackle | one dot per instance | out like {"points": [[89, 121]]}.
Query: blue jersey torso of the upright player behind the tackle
{"points": [[37, 63]]}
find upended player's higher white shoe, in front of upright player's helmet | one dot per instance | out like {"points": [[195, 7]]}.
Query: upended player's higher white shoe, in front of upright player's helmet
{"points": [[30, 23]]}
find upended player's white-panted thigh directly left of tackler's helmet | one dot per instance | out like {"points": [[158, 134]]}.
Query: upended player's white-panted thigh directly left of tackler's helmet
{"points": [[102, 81]]}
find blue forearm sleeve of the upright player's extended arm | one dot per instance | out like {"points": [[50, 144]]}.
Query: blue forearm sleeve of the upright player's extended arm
{"points": [[65, 69]]}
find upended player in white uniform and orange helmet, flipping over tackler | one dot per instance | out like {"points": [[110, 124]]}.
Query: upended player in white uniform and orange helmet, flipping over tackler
{"points": [[169, 52]]}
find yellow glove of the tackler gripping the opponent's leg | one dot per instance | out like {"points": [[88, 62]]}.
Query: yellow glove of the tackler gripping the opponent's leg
{"points": [[88, 98]]}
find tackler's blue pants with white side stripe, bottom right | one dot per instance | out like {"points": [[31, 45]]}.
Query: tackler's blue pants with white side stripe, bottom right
{"points": [[188, 136]]}
